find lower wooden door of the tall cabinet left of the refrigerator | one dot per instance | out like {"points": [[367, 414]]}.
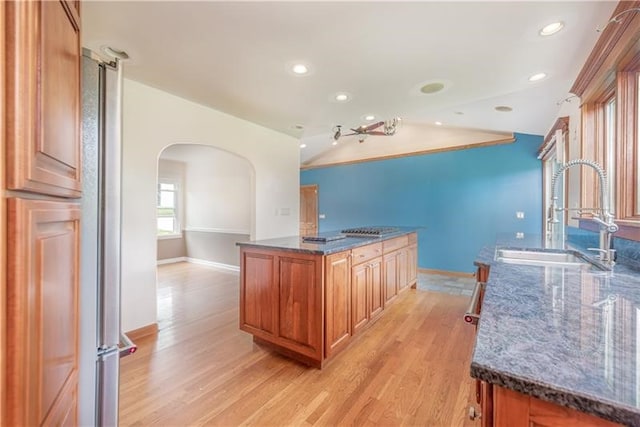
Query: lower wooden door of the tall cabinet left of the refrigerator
{"points": [[42, 293]]}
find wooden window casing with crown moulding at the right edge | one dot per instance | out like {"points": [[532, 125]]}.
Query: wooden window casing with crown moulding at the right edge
{"points": [[608, 86]]}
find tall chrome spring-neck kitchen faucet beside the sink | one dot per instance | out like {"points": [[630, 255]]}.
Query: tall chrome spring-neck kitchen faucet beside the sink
{"points": [[605, 217]]}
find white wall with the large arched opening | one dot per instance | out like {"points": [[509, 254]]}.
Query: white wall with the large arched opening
{"points": [[152, 120]]}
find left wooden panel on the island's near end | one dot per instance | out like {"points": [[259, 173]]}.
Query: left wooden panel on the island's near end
{"points": [[259, 293]]}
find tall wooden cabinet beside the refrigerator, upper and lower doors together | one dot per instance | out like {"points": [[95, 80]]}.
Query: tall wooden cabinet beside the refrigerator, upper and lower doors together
{"points": [[41, 151]]}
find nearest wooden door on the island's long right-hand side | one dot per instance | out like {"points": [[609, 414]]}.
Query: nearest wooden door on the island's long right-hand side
{"points": [[337, 301]]}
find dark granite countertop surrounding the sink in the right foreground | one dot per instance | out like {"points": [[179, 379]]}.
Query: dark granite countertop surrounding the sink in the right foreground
{"points": [[563, 334]]}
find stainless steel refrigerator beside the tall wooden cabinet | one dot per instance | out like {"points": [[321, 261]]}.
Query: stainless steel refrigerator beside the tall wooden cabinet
{"points": [[101, 340]]}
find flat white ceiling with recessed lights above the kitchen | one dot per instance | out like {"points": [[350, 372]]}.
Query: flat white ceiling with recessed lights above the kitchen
{"points": [[234, 57]]}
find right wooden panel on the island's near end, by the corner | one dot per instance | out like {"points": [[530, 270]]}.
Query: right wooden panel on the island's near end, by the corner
{"points": [[300, 309]]}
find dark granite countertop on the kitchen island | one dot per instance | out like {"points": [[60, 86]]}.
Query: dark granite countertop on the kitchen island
{"points": [[296, 244]]}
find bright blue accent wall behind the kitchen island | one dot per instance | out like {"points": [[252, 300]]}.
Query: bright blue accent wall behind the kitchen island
{"points": [[463, 198]]}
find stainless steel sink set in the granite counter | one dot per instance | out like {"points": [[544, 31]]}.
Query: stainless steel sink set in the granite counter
{"points": [[542, 257]]}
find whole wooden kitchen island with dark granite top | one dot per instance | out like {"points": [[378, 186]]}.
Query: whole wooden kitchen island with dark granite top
{"points": [[309, 300]]}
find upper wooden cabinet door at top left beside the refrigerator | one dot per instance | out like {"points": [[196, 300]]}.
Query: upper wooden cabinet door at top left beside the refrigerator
{"points": [[43, 97]]}
